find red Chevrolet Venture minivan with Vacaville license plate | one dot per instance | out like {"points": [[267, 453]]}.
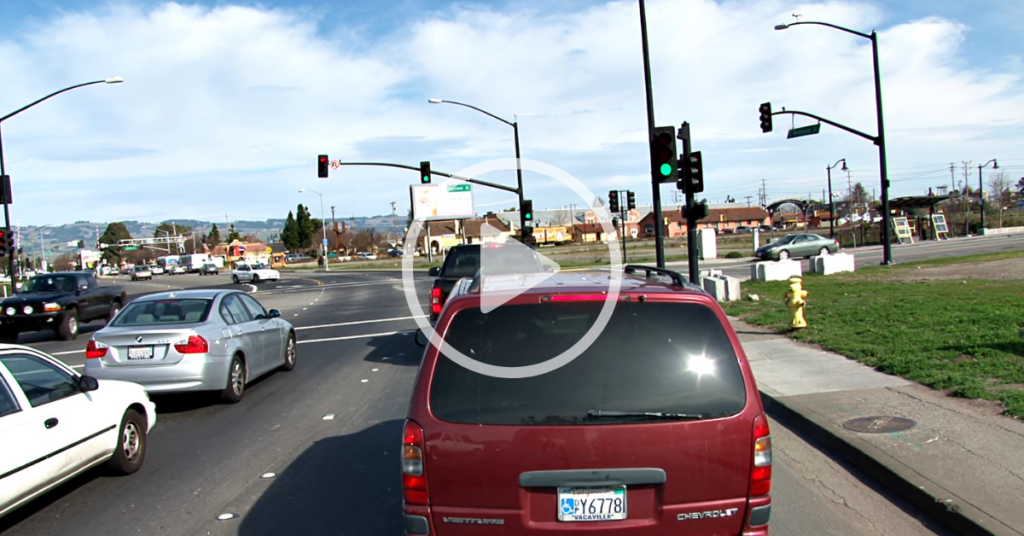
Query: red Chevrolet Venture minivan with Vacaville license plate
{"points": [[657, 428]]}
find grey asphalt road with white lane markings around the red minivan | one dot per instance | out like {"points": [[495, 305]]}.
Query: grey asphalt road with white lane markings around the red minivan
{"points": [[316, 450]]}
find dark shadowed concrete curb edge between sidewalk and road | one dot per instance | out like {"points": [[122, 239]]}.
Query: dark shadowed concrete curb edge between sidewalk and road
{"points": [[943, 506]]}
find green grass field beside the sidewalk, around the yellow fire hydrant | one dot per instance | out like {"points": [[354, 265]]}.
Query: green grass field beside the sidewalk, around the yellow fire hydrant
{"points": [[949, 335]]}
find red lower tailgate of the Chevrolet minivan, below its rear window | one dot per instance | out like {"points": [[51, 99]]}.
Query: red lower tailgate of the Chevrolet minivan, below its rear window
{"points": [[700, 470]]}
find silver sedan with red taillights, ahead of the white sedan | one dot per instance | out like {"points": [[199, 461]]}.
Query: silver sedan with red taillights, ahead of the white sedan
{"points": [[193, 341]]}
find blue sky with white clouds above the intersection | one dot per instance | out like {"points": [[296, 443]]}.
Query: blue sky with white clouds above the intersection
{"points": [[227, 105]]}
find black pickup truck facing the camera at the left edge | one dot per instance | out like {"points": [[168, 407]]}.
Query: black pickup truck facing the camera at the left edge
{"points": [[60, 303]]}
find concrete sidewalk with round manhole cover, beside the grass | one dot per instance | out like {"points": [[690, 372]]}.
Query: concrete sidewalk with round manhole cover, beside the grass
{"points": [[962, 463]]}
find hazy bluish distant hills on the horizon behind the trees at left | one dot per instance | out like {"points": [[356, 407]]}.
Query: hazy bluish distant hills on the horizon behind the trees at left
{"points": [[59, 237]]}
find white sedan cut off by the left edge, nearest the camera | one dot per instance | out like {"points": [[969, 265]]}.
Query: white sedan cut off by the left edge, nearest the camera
{"points": [[57, 424]]}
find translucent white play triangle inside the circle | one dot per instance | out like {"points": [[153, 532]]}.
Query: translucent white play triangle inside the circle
{"points": [[508, 269]]}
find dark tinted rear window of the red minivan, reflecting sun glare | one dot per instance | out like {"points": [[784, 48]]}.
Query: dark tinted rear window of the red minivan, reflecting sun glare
{"points": [[652, 357]]}
